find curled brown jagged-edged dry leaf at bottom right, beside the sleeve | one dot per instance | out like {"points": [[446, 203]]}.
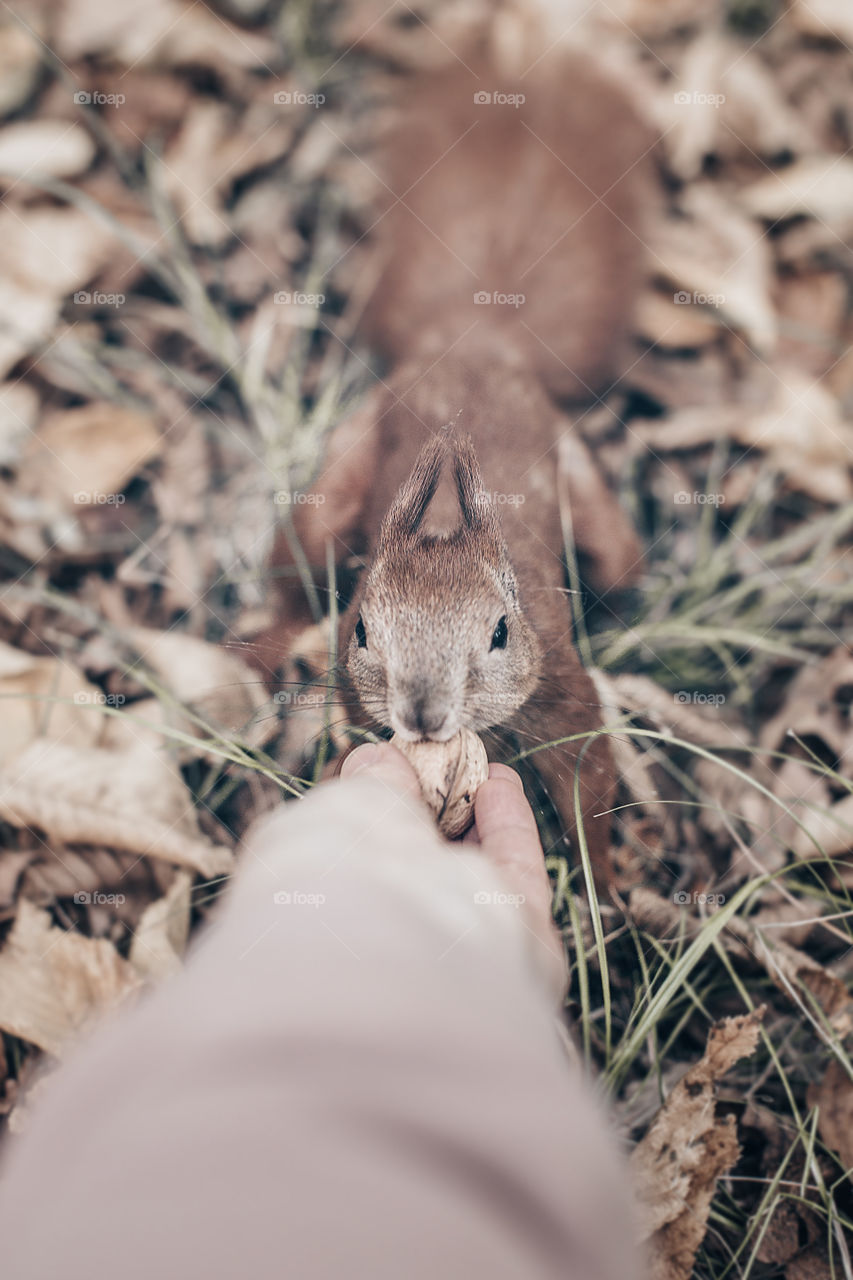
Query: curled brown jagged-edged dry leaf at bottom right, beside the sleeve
{"points": [[687, 1149]]}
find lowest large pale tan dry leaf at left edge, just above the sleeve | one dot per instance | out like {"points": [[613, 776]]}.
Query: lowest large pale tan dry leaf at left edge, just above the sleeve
{"points": [[54, 982]]}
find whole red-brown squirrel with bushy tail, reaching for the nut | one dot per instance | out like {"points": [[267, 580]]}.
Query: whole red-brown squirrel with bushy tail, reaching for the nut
{"points": [[510, 235]]}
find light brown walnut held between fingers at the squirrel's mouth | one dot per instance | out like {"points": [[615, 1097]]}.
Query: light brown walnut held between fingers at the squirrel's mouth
{"points": [[450, 775]]}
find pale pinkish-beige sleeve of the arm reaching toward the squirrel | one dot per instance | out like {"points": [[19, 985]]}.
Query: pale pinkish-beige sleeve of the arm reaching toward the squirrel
{"points": [[357, 1076]]}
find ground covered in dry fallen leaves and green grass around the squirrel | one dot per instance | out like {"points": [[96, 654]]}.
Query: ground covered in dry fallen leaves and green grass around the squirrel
{"points": [[183, 271]]}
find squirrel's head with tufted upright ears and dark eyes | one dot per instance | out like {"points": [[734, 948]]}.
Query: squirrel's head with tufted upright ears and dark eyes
{"points": [[441, 641]]}
